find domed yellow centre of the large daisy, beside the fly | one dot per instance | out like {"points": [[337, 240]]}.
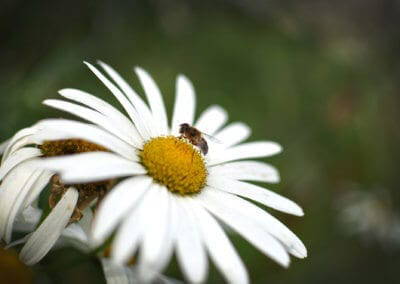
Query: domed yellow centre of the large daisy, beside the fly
{"points": [[175, 163]]}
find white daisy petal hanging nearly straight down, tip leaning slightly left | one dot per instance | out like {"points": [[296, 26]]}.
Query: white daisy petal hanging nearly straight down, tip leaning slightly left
{"points": [[154, 255]]}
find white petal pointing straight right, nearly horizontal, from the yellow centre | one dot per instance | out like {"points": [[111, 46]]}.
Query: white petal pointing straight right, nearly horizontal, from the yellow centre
{"points": [[247, 170]]}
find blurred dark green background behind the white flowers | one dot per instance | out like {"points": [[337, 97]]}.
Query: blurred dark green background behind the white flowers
{"points": [[320, 77]]}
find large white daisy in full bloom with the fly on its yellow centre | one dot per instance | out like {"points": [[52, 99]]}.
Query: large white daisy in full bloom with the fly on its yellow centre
{"points": [[173, 197]]}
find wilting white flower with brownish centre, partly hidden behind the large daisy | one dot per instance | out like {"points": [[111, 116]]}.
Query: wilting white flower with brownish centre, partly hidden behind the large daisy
{"points": [[22, 181]]}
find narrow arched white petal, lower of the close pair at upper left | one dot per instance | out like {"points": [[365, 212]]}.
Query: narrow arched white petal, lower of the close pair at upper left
{"points": [[93, 117]]}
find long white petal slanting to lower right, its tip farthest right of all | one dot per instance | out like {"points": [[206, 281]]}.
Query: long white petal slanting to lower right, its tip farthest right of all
{"points": [[292, 243]]}
